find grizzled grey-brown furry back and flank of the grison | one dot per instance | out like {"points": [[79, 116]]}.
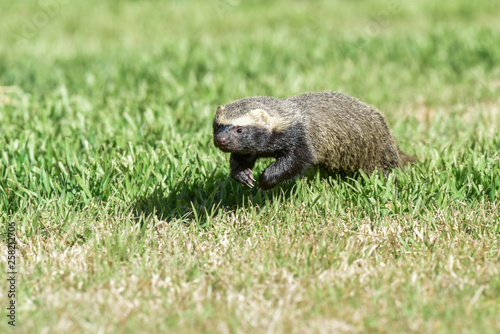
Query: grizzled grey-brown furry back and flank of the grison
{"points": [[346, 134]]}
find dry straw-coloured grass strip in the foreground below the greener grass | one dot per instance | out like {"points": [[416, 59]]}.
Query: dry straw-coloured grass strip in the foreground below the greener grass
{"points": [[409, 274]]}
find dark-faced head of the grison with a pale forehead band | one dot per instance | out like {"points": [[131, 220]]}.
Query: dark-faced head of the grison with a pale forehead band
{"points": [[245, 126]]}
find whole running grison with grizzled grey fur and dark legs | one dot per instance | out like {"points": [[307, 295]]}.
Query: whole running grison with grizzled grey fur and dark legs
{"points": [[332, 130]]}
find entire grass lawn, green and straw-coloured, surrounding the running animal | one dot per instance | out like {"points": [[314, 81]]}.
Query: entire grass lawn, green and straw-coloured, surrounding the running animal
{"points": [[128, 220]]}
